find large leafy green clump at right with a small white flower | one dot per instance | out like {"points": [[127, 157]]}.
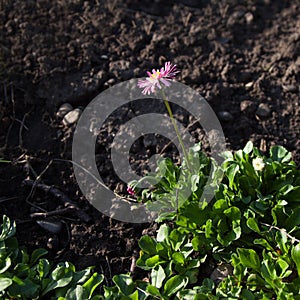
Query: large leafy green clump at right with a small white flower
{"points": [[253, 224]]}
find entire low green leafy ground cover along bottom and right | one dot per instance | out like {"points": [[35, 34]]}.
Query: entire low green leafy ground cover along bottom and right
{"points": [[250, 230]]}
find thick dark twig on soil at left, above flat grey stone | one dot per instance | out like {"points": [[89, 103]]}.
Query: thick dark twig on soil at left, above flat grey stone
{"points": [[59, 195]]}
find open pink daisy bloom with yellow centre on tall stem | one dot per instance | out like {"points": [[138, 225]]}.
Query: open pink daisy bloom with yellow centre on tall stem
{"points": [[164, 75]]}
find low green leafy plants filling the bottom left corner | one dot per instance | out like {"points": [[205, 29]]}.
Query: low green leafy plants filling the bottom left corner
{"points": [[24, 276]]}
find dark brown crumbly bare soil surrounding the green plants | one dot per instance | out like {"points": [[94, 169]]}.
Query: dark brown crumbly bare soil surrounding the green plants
{"points": [[243, 57]]}
